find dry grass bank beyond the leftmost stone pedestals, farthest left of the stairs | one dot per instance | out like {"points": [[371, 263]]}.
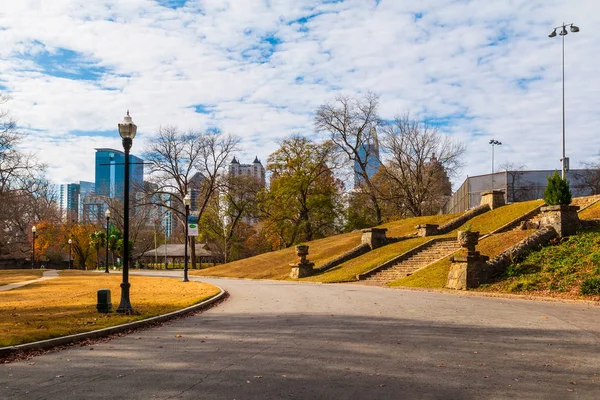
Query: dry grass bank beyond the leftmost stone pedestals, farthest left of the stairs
{"points": [[275, 264]]}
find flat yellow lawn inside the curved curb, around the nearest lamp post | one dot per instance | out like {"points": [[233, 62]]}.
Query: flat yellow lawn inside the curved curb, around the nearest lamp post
{"points": [[67, 305]]}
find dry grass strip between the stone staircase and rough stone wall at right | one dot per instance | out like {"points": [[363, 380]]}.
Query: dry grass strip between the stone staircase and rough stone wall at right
{"points": [[435, 275]]}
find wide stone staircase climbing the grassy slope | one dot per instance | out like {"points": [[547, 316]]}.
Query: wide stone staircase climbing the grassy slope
{"points": [[409, 265]]}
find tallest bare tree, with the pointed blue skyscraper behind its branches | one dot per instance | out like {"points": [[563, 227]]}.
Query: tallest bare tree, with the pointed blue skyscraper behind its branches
{"points": [[351, 123]]}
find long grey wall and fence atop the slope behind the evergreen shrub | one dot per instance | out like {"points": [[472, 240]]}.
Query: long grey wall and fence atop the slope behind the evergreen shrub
{"points": [[516, 185]]}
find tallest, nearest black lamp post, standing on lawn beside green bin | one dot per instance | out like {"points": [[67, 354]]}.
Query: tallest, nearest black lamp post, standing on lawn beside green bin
{"points": [[127, 130]]}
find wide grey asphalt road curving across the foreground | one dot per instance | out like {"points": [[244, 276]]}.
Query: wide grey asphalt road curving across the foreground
{"points": [[279, 340]]}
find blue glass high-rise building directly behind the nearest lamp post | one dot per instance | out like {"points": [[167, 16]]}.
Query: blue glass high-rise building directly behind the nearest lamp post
{"points": [[110, 173]]}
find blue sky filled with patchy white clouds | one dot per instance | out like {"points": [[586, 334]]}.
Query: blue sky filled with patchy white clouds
{"points": [[478, 70]]}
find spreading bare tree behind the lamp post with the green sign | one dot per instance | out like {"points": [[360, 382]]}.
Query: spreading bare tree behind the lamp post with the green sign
{"points": [[182, 160]]}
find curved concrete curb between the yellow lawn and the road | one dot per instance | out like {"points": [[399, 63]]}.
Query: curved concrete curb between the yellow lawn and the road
{"points": [[104, 332]]}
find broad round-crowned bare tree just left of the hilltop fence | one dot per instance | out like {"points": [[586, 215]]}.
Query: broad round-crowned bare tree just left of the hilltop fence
{"points": [[420, 163]]}
